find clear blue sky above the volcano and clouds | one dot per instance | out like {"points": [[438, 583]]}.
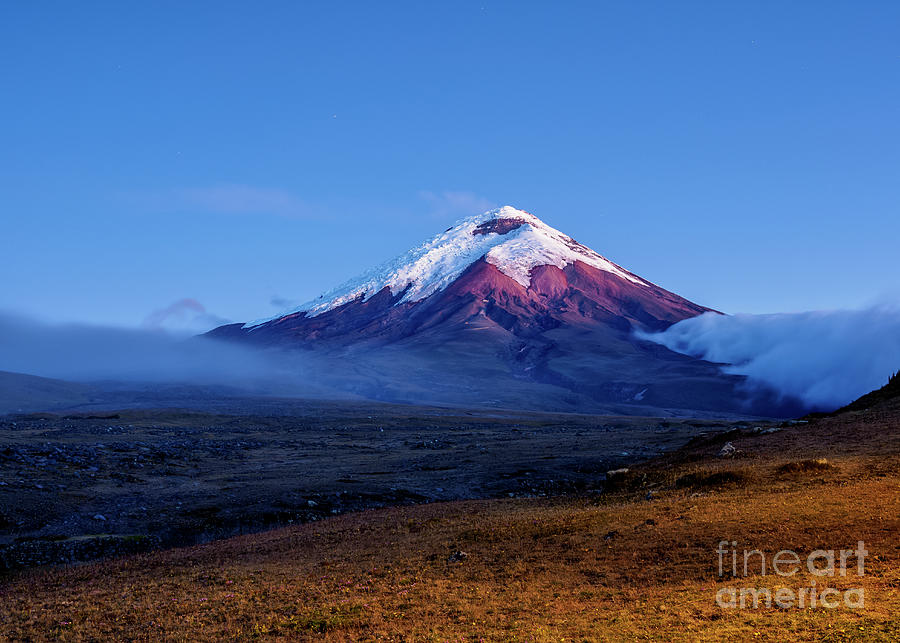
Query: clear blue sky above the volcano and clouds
{"points": [[743, 154]]}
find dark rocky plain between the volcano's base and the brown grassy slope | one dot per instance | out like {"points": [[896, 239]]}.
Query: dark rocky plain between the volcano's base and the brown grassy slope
{"points": [[80, 486]]}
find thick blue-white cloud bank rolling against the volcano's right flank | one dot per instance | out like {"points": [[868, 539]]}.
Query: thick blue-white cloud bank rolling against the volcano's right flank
{"points": [[826, 358]]}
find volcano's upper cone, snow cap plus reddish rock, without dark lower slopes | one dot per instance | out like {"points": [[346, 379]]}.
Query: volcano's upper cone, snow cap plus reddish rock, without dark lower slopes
{"points": [[505, 266]]}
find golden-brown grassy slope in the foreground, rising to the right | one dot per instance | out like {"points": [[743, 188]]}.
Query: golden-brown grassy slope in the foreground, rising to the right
{"points": [[618, 566]]}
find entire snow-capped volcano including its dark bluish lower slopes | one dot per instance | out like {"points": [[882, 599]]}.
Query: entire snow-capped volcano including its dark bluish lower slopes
{"points": [[503, 310]]}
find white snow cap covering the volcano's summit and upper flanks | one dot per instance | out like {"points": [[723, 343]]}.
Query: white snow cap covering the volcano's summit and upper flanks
{"points": [[513, 240]]}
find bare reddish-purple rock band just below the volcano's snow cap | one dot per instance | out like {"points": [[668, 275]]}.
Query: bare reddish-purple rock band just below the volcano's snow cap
{"points": [[577, 295]]}
